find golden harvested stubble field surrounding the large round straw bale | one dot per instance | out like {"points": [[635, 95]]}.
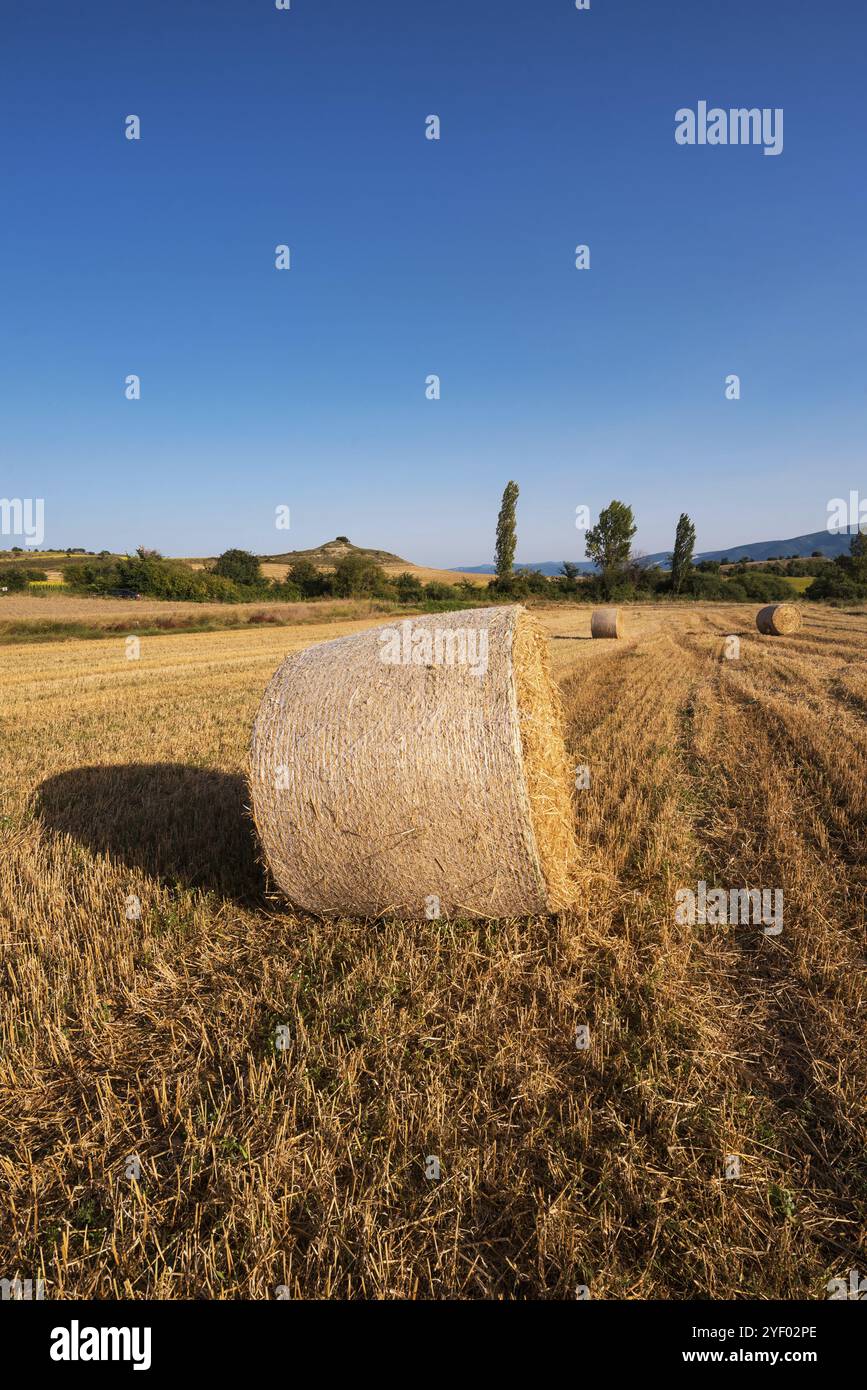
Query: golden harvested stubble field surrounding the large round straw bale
{"points": [[305, 1167]]}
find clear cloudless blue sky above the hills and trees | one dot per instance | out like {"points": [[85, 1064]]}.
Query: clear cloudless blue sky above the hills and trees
{"points": [[409, 256]]}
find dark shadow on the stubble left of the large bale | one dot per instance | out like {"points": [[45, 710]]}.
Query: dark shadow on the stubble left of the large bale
{"points": [[181, 825]]}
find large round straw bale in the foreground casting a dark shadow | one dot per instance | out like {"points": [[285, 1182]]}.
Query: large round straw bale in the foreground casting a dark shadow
{"points": [[418, 769]]}
